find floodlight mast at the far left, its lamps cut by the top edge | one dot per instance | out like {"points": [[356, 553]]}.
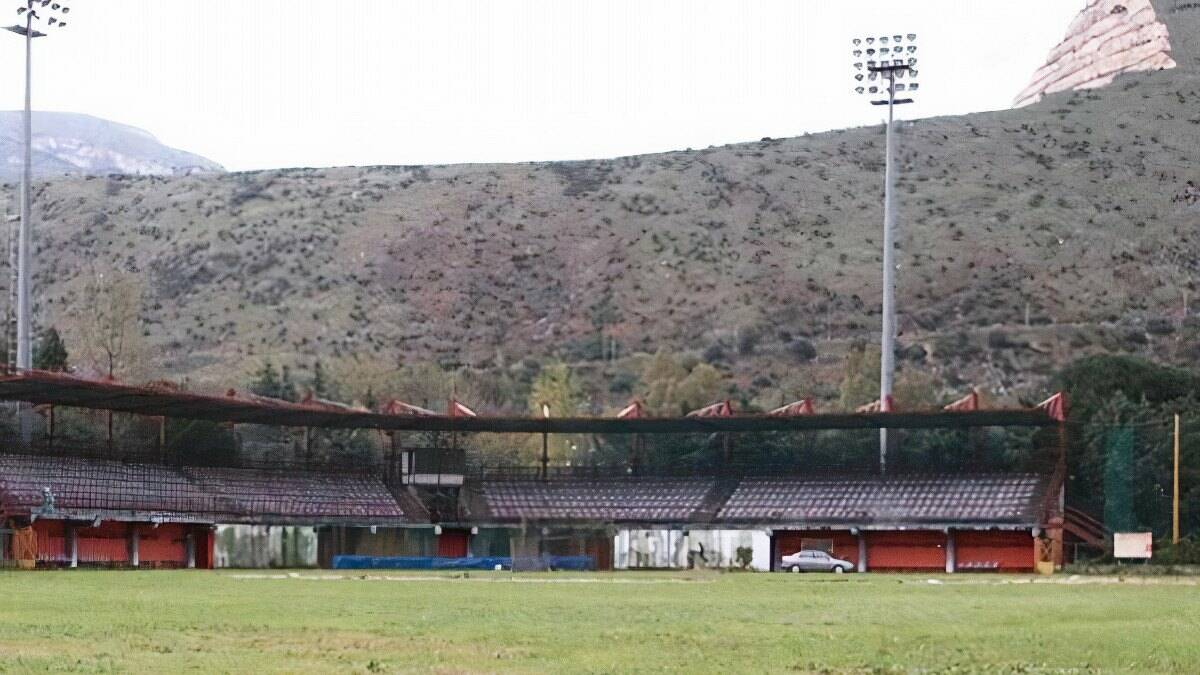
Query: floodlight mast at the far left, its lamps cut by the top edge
{"points": [[37, 14]]}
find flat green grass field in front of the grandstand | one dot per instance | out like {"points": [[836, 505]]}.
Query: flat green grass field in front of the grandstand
{"points": [[269, 622]]}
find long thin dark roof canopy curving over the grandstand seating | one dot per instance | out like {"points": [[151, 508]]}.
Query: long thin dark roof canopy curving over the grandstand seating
{"points": [[167, 401]]}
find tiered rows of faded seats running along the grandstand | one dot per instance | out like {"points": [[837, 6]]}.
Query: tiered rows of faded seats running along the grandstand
{"points": [[86, 488]]}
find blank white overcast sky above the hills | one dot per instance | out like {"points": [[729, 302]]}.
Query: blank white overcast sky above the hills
{"points": [[281, 83]]}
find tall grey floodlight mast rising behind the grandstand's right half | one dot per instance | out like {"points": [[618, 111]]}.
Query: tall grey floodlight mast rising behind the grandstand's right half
{"points": [[883, 62]]}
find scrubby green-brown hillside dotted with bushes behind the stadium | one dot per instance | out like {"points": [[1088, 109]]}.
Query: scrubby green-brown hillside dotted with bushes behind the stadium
{"points": [[1027, 237]]}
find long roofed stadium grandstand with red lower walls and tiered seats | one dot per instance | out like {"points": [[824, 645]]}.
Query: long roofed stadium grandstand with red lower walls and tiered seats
{"points": [[181, 464]]}
